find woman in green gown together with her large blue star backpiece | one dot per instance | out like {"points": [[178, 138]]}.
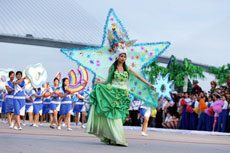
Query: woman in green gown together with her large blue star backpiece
{"points": [[110, 98]]}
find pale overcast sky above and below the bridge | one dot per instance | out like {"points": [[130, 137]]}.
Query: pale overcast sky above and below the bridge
{"points": [[198, 30]]}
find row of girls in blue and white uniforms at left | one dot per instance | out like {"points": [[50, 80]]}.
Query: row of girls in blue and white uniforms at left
{"points": [[16, 101]]}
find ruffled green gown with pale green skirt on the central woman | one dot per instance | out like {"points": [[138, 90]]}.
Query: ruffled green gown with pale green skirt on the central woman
{"points": [[109, 109]]}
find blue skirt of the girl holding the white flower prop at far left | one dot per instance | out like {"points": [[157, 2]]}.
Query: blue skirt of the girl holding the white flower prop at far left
{"points": [[19, 107]]}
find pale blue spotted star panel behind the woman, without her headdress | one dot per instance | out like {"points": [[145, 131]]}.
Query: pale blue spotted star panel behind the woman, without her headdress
{"points": [[97, 60]]}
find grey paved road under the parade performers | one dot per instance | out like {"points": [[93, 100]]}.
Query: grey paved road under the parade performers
{"points": [[45, 140]]}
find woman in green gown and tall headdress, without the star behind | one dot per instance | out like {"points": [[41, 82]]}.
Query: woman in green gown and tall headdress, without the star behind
{"points": [[110, 100]]}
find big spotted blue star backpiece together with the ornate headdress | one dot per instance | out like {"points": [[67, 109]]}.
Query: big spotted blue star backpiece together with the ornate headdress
{"points": [[99, 59]]}
